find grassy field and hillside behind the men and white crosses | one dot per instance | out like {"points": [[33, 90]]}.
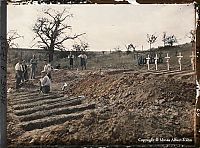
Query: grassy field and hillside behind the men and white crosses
{"points": [[108, 60]]}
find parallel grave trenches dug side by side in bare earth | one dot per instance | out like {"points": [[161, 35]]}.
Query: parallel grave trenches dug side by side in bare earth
{"points": [[47, 111]]}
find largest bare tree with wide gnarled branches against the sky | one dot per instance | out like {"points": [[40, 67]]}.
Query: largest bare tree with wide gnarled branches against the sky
{"points": [[52, 31]]}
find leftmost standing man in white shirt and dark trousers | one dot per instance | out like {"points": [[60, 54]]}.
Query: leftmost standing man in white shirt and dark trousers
{"points": [[18, 73]]}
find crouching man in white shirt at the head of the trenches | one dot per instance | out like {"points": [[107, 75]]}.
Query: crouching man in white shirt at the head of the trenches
{"points": [[45, 83]]}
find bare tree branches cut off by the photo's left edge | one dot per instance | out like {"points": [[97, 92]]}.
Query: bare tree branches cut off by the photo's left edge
{"points": [[12, 35]]}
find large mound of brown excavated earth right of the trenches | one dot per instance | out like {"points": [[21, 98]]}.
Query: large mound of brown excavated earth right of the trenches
{"points": [[139, 106]]}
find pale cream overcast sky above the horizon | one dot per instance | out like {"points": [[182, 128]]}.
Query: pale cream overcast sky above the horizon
{"points": [[109, 26]]}
